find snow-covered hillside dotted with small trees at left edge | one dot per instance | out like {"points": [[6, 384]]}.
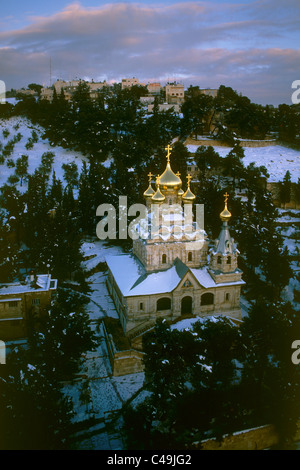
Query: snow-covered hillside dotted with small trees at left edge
{"points": [[25, 128]]}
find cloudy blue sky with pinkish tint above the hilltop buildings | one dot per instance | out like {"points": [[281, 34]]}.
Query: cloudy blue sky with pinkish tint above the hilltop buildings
{"points": [[251, 46]]}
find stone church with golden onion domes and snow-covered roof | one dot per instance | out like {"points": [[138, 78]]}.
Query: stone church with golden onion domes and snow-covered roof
{"points": [[171, 272]]}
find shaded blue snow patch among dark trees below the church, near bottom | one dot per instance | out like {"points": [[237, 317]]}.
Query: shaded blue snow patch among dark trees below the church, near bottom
{"points": [[107, 396]]}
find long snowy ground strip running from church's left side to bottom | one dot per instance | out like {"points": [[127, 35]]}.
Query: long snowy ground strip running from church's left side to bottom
{"points": [[107, 393]]}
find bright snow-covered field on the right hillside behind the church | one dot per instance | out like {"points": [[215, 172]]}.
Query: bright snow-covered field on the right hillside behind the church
{"points": [[276, 158]]}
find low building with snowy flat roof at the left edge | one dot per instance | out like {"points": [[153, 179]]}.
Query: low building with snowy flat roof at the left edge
{"points": [[18, 300]]}
